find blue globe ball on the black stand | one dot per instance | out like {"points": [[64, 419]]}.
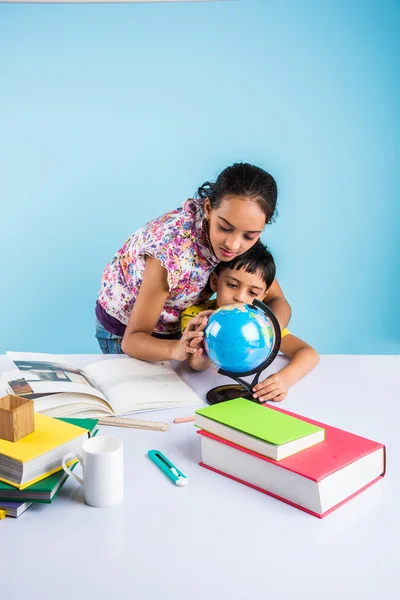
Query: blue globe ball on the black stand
{"points": [[239, 337]]}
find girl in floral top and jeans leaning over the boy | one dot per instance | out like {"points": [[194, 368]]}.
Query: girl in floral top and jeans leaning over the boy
{"points": [[164, 267]]}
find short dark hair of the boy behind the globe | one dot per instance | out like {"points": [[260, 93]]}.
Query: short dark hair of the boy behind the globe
{"points": [[257, 259]]}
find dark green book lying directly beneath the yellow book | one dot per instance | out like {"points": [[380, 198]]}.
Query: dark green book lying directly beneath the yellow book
{"points": [[48, 488]]}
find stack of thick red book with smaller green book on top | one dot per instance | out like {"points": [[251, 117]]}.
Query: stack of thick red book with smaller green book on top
{"points": [[310, 465]]}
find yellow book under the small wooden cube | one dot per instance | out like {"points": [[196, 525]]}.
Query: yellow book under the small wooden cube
{"points": [[39, 454]]}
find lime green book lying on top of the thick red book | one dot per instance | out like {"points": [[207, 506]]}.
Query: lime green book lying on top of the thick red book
{"points": [[259, 428]]}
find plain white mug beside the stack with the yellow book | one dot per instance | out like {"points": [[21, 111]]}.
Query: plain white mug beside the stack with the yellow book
{"points": [[102, 470]]}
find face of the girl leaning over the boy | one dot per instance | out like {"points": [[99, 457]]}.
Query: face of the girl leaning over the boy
{"points": [[234, 226]]}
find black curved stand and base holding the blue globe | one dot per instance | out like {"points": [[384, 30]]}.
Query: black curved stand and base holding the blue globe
{"points": [[222, 393]]}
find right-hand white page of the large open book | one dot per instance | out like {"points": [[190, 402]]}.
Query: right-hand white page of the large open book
{"points": [[132, 385]]}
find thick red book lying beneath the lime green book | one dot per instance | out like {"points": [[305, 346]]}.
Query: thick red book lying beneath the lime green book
{"points": [[317, 480]]}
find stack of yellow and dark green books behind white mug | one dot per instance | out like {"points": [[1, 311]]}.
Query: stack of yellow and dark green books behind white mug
{"points": [[30, 469]]}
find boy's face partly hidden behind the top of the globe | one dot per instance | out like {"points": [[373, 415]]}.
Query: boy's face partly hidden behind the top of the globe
{"points": [[233, 286]]}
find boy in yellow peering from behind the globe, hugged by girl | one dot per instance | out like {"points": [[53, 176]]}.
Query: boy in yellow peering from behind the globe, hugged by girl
{"points": [[244, 278]]}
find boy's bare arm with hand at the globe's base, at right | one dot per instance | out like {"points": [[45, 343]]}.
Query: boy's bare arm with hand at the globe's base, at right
{"points": [[303, 359]]}
